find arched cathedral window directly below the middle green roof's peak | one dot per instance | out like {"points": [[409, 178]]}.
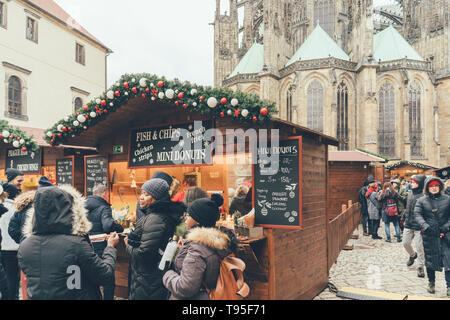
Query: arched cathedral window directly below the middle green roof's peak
{"points": [[315, 106]]}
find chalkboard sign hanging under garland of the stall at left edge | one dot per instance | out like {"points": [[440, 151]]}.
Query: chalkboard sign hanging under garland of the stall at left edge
{"points": [[29, 162]]}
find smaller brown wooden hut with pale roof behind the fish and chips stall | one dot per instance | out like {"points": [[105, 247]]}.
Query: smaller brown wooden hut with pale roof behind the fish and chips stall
{"points": [[347, 172]]}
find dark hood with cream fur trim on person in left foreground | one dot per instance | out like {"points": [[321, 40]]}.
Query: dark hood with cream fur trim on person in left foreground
{"points": [[57, 210]]}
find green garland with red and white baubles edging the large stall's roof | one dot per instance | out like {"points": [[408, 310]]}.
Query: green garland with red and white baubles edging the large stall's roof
{"points": [[237, 105]]}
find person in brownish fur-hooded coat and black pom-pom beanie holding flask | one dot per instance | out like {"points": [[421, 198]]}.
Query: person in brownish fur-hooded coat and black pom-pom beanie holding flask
{"points": [[197, 264]]}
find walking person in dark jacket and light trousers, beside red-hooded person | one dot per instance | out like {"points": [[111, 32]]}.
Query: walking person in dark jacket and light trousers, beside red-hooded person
{"points": [[412, 227]]}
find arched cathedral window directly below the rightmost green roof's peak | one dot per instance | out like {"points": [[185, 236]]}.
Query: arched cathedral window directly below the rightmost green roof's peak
{"points": [[386, 128]]}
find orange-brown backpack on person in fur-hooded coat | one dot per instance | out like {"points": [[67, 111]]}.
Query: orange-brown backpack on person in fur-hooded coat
{"points": [[230, 283]]}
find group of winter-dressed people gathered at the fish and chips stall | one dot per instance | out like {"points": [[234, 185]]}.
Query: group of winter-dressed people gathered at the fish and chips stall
{"points": [[45, 242]]}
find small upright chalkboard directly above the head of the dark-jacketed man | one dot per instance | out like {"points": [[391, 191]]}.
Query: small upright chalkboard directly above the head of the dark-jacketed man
{"points": [[95, 172]]}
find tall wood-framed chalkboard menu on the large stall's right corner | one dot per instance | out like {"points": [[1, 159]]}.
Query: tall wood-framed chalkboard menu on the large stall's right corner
{"points": [[277, 185]]}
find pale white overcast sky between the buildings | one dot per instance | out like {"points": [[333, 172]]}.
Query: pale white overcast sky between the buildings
{"points": [[171, 38]]}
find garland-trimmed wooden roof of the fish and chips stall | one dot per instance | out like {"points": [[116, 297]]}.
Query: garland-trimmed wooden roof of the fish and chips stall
{"points": [[138, 98]]}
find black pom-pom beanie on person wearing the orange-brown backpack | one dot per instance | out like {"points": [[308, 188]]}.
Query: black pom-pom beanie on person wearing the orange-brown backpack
{"points": [[206, 210]]}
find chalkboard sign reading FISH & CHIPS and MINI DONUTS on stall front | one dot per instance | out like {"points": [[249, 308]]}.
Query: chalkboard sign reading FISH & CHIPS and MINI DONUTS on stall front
{"points": [[176, 144]]}
